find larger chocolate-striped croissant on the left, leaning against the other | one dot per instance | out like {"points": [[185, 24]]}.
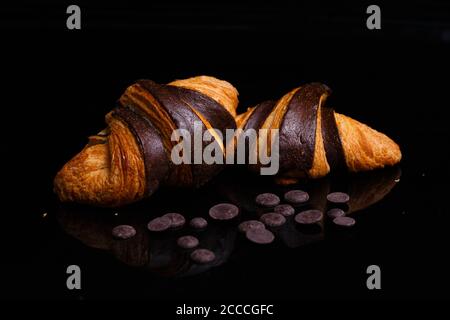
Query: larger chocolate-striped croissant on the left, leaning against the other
{"points": [[131, 158]]}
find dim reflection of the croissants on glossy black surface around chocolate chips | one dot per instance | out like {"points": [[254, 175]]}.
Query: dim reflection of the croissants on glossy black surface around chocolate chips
{"points": [[158, 252]]}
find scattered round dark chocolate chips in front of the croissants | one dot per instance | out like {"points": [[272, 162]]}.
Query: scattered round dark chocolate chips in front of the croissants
{"points": [[273, 216]]}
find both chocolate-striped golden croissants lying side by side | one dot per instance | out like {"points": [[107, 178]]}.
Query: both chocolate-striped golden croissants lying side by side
{"points": [[130, 159]]}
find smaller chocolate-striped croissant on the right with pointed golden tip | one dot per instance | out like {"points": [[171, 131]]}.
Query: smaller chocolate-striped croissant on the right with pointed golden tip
{"points": [[313, 139]]}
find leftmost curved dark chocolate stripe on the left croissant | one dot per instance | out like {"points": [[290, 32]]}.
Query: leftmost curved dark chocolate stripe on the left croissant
{"points": [[152, 149]]}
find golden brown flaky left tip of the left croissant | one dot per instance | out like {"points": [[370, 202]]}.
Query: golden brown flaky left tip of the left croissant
{"points": [[106, 174]]}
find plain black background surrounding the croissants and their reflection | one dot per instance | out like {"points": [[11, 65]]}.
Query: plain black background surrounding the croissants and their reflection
{"points": [[58, 85]]}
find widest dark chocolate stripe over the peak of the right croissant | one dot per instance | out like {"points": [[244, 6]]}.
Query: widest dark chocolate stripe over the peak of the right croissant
{"points": [[298, 129]]}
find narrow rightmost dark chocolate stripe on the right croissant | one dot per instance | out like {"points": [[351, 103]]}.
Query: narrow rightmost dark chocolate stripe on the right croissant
{"points": [[332, 141]]}
